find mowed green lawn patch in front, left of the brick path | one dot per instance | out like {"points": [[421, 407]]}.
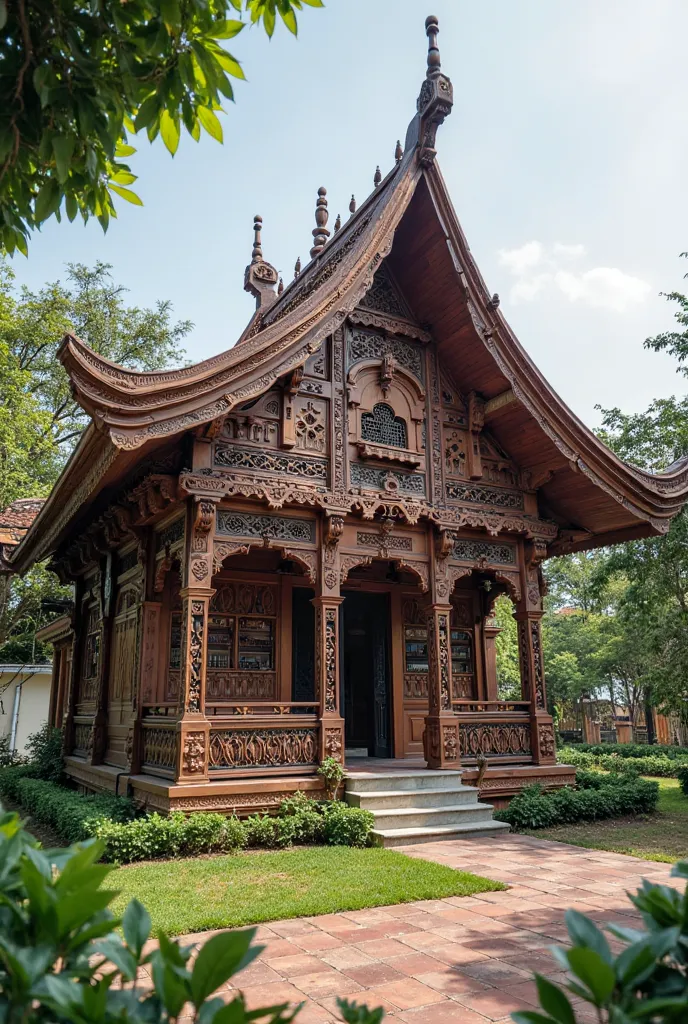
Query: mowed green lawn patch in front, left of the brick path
{"points": [[202, 893]]}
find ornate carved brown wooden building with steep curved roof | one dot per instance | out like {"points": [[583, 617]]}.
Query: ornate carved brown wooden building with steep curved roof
{"points": [[294, 548]]}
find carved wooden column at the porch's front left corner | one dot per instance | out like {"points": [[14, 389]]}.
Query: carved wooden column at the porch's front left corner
{"points": [[193, 727]]}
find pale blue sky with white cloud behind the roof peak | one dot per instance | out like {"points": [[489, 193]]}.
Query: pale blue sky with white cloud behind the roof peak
{"points": [[566, 157]]}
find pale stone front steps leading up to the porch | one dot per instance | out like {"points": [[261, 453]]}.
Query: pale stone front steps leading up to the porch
{"points": [[420, 806]]}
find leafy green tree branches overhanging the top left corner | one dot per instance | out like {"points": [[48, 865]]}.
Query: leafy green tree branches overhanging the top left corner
{"points": [[79, 80]]}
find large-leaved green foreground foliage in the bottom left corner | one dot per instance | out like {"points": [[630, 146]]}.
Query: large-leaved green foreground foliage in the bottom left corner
{"points": [[63, 961]]}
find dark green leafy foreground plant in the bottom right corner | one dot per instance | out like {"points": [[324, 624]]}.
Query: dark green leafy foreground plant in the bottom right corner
{"points": [[648, 982]]}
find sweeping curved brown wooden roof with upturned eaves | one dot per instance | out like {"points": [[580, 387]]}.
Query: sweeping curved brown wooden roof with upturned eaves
{"points": [[410, 221]]}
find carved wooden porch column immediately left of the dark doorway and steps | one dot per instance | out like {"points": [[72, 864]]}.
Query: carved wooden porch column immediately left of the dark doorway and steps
{"points": [[327, 603]]}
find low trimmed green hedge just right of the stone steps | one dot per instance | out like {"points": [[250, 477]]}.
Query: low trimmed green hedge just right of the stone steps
{"points": [[597, 796]]}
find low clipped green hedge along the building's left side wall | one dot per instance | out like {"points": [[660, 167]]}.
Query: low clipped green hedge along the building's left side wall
{"points": [[70, 815]]}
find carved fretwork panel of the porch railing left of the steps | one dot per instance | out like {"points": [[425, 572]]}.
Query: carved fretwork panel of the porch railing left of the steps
{"points": [[263, 748]]}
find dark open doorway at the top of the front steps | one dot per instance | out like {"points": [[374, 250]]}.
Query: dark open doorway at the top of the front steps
{"points": [[366, 674]]}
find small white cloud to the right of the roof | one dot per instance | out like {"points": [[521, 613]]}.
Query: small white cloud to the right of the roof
{"points": [[538, 272]]}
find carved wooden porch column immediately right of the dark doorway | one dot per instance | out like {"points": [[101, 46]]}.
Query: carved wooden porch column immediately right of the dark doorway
{"points": [[442, 726]]}
